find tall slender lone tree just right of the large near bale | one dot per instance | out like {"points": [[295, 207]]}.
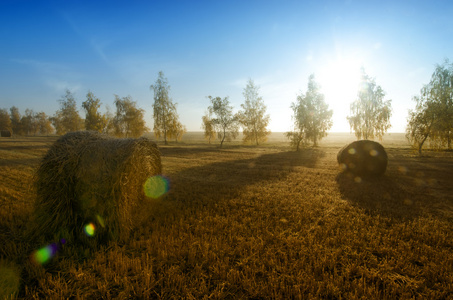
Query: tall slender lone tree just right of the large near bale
{"points": [[166, 119]]}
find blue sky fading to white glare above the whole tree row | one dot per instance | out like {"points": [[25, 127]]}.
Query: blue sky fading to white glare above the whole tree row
{"points": [[213, 47]]}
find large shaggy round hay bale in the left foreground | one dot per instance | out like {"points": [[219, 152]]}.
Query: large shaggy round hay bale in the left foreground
{"points": [[89, 184]]}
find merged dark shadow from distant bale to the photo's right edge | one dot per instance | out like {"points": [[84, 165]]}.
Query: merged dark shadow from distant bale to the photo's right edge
{"points": [[412, 186]]}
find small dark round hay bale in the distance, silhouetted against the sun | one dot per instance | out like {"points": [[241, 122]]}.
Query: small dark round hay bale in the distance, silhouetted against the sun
{"points": [[364, 158]]}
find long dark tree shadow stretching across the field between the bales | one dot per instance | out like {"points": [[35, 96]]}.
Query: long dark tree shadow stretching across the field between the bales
{"points": [[225, 178]]}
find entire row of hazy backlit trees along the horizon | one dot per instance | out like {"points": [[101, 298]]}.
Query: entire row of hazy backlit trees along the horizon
{"points": [[430, 122]]}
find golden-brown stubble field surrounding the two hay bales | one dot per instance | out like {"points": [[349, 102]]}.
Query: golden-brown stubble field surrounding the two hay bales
{"points": [[254, 223]]}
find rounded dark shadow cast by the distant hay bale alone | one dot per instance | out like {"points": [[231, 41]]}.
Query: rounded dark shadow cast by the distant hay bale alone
{"points": [[382, 195]]}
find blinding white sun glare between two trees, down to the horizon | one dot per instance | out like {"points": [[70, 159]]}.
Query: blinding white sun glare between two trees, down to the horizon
{"points": [[339, 80]]}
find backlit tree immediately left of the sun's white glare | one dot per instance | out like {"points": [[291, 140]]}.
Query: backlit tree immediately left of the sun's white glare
{"points": [[312, 117]]}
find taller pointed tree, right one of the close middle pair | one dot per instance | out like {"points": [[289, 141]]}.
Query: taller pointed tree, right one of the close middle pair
{"points": [[252, 117]]}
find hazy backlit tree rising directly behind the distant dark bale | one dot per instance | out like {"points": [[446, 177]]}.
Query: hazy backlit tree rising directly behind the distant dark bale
{"points": [[370, 114]]}
